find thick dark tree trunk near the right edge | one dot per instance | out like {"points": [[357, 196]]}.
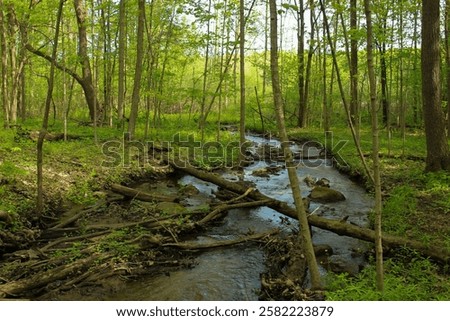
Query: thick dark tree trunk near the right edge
{"points": [[438, 154]]}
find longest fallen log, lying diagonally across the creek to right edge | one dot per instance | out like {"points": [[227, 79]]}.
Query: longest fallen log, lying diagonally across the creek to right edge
{"points": [[341, 228]]}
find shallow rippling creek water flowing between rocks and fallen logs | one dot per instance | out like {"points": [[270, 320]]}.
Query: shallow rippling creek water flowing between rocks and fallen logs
{"points": [[233, 273]]}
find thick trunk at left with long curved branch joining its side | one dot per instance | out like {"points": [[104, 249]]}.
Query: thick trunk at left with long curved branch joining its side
{"points": [[87, 82]]}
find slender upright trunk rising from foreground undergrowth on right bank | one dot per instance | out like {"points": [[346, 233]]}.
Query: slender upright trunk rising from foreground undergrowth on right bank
{"points": [[375, 149]]}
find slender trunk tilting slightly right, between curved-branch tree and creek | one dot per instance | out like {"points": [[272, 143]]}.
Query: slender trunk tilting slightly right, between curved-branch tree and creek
{"points": [[135, 98]]}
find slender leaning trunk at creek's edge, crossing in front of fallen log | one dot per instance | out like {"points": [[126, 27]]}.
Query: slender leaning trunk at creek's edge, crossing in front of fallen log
{"points": [[306, 241]]}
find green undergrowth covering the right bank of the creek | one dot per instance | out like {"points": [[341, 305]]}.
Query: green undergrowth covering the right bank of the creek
{"points": [[415, 205]]}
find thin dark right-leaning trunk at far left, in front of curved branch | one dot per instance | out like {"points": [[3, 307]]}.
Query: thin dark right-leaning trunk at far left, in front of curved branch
{"points": [[43, 131]]}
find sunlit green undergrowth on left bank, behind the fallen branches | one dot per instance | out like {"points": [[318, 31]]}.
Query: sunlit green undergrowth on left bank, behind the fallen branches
{"points": [[76, 169]]}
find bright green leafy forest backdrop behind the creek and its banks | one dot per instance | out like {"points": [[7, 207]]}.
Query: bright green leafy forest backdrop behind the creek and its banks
{"points": [[189, 61]]}
